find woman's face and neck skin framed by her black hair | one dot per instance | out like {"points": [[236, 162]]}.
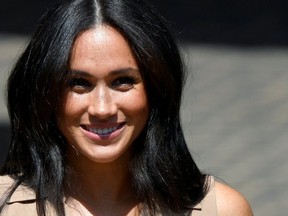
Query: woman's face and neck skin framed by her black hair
{"points": [[104, 110]]}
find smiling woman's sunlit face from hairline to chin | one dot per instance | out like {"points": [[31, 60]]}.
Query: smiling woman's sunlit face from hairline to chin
{"points": [[105, 105]]}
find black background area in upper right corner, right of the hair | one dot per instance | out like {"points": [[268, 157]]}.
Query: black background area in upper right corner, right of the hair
{"points": [[242, 23]]}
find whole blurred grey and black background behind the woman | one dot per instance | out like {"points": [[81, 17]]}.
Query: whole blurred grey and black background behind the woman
{"points": [[235, 106]]}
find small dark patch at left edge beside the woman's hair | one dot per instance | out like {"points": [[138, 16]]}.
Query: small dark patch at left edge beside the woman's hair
{"points": [[5, 140]]}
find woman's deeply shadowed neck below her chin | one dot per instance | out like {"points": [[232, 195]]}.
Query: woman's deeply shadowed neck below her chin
{"points": [[101, 184]]}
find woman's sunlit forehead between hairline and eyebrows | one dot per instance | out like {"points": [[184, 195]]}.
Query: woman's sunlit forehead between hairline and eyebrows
{"points": [[100, 47]]}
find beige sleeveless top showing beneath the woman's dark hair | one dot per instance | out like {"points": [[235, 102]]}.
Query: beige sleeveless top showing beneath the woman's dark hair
{"points": [[22, 201]]}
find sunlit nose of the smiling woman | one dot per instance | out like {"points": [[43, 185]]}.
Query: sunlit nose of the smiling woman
{"points": [[102, 103]]}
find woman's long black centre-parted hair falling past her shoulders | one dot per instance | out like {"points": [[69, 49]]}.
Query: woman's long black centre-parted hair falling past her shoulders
{"points": [[163, 172]]}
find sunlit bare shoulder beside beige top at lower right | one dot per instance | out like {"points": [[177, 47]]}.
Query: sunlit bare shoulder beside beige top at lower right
{"points": [[231, 202]]}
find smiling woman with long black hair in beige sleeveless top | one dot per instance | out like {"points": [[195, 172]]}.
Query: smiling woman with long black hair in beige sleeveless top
{"points": [[94, 107]]}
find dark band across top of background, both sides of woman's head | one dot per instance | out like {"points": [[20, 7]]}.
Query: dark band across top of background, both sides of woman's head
{"points": [[252, 23]]}
